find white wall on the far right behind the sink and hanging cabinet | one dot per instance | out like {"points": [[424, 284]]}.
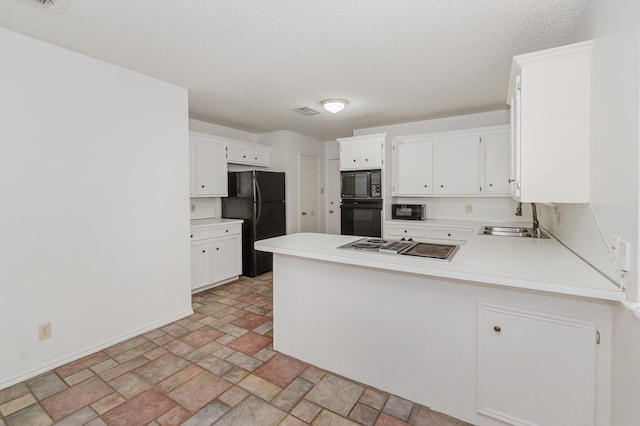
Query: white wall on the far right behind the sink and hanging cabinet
{"points": [[614, 26]]}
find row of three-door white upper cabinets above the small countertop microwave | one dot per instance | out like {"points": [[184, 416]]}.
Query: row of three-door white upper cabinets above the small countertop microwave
{"points": [[472, 162]]}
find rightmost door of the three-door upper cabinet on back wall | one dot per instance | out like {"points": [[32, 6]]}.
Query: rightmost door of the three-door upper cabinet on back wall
{"points": [[495, 162]]}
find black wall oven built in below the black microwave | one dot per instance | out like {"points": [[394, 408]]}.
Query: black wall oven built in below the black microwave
{"points": [[361, 217]]}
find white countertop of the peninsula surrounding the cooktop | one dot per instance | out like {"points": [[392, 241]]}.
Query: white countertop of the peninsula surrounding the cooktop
{"points": [[526, 263]]}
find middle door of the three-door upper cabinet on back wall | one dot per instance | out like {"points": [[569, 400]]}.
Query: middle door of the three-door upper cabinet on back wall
{"points": [[457, 165]]}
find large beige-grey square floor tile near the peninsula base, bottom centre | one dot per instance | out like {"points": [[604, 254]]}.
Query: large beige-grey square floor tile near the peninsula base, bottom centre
{"points": [[336, 394]]}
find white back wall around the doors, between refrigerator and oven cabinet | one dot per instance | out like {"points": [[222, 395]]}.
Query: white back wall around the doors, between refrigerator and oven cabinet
{"points": [[286, 148]]}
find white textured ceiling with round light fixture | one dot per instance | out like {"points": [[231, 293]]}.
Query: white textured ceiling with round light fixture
{"points": [[249, 64]]}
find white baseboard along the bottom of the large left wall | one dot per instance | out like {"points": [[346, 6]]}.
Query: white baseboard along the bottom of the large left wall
{"points": [[73, 357]]}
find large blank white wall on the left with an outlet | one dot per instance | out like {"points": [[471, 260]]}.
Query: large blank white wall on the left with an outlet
{"points": [[94, 220]]}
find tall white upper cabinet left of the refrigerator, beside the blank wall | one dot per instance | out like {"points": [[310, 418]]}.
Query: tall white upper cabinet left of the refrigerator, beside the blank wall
{"points": [[208, 166]]}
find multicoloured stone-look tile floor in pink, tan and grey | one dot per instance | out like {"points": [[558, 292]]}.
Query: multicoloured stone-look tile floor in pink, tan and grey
{"points": [[215, 367]]}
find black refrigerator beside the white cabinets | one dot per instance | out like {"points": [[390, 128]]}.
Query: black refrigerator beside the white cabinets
{"points": [[258, 197]]}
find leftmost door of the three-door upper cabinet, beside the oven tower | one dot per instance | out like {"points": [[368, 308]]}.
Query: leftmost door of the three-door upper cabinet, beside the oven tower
{"points": [[412, 166]]}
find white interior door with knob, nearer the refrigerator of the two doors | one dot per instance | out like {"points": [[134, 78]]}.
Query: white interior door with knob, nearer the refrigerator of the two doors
{"points": [[309, 193]]}
